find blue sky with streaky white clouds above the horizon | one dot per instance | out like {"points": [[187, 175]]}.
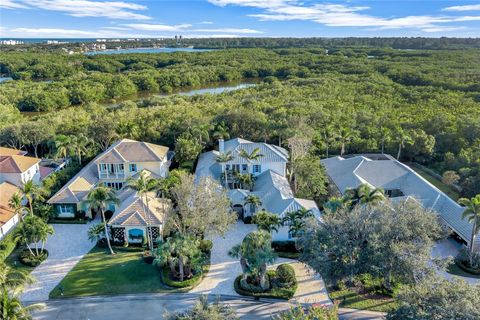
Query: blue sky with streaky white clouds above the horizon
{"points": [[237, 18]]}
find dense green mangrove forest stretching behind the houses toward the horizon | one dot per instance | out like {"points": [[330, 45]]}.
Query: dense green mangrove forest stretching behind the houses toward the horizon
{"points": [[424, 104]]}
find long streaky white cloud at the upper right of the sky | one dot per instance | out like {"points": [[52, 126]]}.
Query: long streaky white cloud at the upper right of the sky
{"points": [[339, 15]]}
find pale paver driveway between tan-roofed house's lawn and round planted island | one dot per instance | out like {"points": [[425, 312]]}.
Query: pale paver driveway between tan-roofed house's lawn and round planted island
{"points": [[223, 268]]}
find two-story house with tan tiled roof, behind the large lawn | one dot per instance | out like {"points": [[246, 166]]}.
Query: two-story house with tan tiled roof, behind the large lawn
{"points": [[123, 160]]}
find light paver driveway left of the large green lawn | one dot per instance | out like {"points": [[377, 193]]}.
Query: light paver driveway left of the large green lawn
{"points": [[66, 247]]}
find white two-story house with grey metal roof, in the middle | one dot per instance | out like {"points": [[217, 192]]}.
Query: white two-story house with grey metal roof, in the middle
{"points": [[269, 173]]}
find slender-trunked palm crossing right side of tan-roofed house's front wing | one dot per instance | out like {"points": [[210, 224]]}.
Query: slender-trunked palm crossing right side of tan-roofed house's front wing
{"points": [[143, 185]]}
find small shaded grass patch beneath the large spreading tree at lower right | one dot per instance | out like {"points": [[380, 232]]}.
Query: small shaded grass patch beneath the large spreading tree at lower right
{"points": [[352, 299]]}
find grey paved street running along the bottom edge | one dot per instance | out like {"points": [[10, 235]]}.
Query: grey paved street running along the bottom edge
{"points": [[154, 306]]}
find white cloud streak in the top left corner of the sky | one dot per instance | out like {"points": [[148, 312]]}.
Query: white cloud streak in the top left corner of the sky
{"points": [[84, 8]]}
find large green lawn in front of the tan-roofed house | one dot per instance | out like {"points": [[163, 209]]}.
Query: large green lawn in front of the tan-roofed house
{"points": [[100, 273]]}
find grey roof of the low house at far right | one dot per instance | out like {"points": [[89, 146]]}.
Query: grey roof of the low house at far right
{"points": [[392, 174]]}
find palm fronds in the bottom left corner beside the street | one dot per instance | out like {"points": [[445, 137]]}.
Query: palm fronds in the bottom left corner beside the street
{"points": [[11, 307]]}
